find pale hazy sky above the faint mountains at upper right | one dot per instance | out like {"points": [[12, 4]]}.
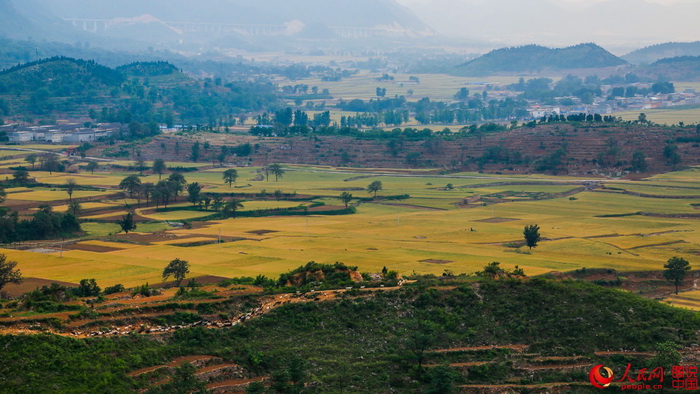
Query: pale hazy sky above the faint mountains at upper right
{"points": [[617, 24]]}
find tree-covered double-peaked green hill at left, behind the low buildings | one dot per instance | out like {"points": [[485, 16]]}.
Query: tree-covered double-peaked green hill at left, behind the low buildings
{"points": [[146, 91]]}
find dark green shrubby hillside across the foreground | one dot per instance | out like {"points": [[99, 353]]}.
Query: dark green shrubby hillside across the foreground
{"points": [[377, 342]]}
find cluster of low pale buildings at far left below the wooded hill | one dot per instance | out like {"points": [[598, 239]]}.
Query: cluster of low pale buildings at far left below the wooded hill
{"points": [[59, 133]]}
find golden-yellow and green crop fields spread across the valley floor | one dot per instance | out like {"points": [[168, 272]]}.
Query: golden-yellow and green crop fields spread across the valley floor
{"points": [[621, 225]]}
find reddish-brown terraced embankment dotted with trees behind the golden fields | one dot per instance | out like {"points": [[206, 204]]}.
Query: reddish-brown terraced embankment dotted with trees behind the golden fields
{"points": [[586, 147]]}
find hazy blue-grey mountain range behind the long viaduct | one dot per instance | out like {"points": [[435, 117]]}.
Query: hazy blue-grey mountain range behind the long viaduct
{"points": [[168, 22]]}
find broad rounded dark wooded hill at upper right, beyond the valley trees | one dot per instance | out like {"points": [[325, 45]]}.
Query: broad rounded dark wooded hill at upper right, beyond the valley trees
{"points": [[535, 58]]}
